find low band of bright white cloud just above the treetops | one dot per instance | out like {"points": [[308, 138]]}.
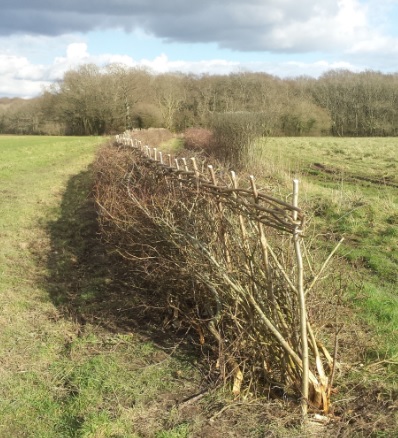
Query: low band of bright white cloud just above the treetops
{"points": [[20, 77]]}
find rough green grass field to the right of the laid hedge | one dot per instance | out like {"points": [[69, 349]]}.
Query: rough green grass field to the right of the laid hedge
{"points": [[349, 188]]}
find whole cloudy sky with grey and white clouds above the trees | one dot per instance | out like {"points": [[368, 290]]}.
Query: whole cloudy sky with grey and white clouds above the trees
{"points": [[42, 39]]}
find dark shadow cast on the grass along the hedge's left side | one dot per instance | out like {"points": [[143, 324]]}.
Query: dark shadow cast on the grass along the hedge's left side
{"points": [[89, 281]]}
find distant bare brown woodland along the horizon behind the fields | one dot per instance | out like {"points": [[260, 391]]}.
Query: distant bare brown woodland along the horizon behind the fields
{"points": [[100, 101]]}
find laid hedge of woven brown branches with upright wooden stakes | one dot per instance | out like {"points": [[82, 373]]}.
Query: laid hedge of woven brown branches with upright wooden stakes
{"points": [[240, 248]]}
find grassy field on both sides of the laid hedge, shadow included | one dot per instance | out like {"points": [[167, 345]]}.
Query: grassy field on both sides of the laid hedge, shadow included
{"points": [[80, 358]]}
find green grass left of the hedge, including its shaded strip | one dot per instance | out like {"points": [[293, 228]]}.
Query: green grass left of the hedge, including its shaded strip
{"points": [[63, 372]]}
